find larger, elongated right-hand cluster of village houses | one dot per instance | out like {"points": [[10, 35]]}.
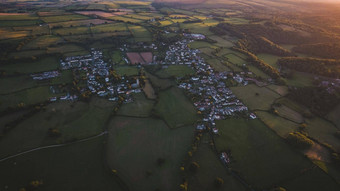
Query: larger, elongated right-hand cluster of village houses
{"points": [[216, 101]]}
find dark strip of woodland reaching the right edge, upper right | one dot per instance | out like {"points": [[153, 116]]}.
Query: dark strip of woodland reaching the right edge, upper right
{"points": [[323, 67]]}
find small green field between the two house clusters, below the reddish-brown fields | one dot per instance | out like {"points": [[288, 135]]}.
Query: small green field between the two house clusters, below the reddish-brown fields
{"points": [[176, 71]]}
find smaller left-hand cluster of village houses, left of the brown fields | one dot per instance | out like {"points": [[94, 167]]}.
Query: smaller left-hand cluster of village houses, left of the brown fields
{"points": [[99, 80]]}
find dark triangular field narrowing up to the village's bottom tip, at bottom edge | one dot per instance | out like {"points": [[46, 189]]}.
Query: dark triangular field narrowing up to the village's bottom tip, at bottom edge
{"points": [[210, 168]]}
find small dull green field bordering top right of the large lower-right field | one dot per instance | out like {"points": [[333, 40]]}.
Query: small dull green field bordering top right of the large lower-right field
{"points": [[280, 125]]}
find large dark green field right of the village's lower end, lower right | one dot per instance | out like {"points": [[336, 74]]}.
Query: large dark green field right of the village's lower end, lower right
{"points": [[259, 155]]}
